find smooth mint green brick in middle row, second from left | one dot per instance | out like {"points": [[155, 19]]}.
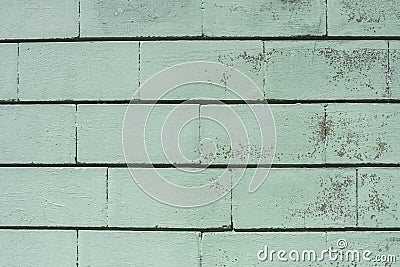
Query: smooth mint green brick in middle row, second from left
{"points": [[103, 124]]}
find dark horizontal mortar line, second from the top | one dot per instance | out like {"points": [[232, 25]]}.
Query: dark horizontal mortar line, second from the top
{"points": [[200, 102]]}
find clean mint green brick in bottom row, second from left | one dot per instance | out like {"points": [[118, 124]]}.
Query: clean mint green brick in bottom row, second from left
{"points": [[117, 248]]}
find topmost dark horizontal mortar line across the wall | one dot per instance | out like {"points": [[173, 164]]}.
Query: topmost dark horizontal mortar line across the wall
{"points": [[203, 38]]}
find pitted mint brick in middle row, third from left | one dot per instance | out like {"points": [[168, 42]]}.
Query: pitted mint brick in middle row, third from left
{"points": [[305, 147]]}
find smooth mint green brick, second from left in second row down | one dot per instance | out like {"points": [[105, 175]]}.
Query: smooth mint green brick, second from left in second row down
{"points": [[78, 71]]}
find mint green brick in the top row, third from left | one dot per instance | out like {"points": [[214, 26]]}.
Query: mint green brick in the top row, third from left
{"points": [[264, 18]]}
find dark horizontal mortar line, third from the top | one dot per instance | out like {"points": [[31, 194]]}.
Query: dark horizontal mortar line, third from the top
{"points": [[214, 166]]}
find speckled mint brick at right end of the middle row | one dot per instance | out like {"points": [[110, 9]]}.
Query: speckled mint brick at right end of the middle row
{"points": [[362, 133]]}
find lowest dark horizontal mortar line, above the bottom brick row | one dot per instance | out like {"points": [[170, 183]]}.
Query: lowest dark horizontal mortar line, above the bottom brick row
{"points": [[203, 230]]}
